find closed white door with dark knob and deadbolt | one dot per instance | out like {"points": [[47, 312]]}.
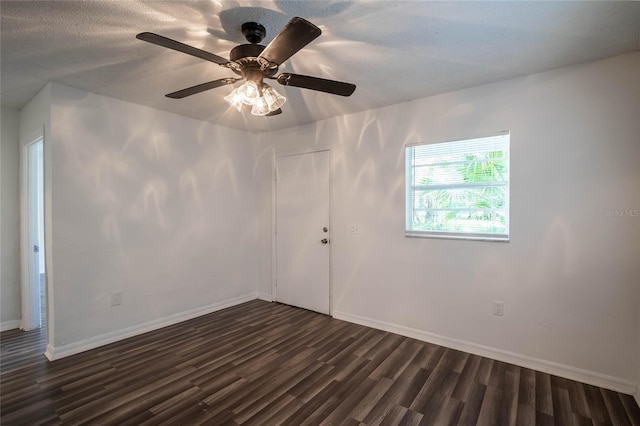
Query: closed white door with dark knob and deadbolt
{"points": [[302, 230]]}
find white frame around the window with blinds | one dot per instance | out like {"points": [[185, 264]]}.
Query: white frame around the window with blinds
{"points": [[410, 189]]}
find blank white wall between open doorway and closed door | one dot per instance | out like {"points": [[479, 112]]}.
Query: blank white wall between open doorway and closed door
{"points": [[155, 205]]}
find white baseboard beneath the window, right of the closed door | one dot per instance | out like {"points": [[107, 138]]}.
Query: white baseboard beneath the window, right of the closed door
{"points": [[597, 379]]}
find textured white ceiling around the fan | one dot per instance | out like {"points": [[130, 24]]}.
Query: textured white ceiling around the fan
{"points": [[393, 51]]}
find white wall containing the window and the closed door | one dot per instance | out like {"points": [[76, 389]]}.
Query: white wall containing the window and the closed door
{"points": [[568, 278]]}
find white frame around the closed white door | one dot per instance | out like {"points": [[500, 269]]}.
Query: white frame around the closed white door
{"points": [[274, 204]]}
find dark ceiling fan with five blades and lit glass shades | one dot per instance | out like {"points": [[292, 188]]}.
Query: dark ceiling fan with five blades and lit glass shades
{"points": [[254, 62]]}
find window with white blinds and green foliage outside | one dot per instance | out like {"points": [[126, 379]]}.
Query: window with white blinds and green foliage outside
{"points": [[458, 189]]}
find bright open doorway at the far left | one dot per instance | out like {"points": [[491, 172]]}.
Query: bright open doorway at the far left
{"points": [[33, 287]]}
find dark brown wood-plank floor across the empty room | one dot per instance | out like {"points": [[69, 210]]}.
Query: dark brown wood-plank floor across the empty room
{"points": [[264, 363]]}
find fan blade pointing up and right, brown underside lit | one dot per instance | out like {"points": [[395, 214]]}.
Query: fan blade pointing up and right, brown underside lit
{"points": [[293, 37]]}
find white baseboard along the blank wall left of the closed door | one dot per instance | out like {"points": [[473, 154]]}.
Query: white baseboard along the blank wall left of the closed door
{"points": [[58, 352]]}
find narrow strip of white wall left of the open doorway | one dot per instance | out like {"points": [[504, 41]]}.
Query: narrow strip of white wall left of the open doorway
{"points": [[9, 222]]}
